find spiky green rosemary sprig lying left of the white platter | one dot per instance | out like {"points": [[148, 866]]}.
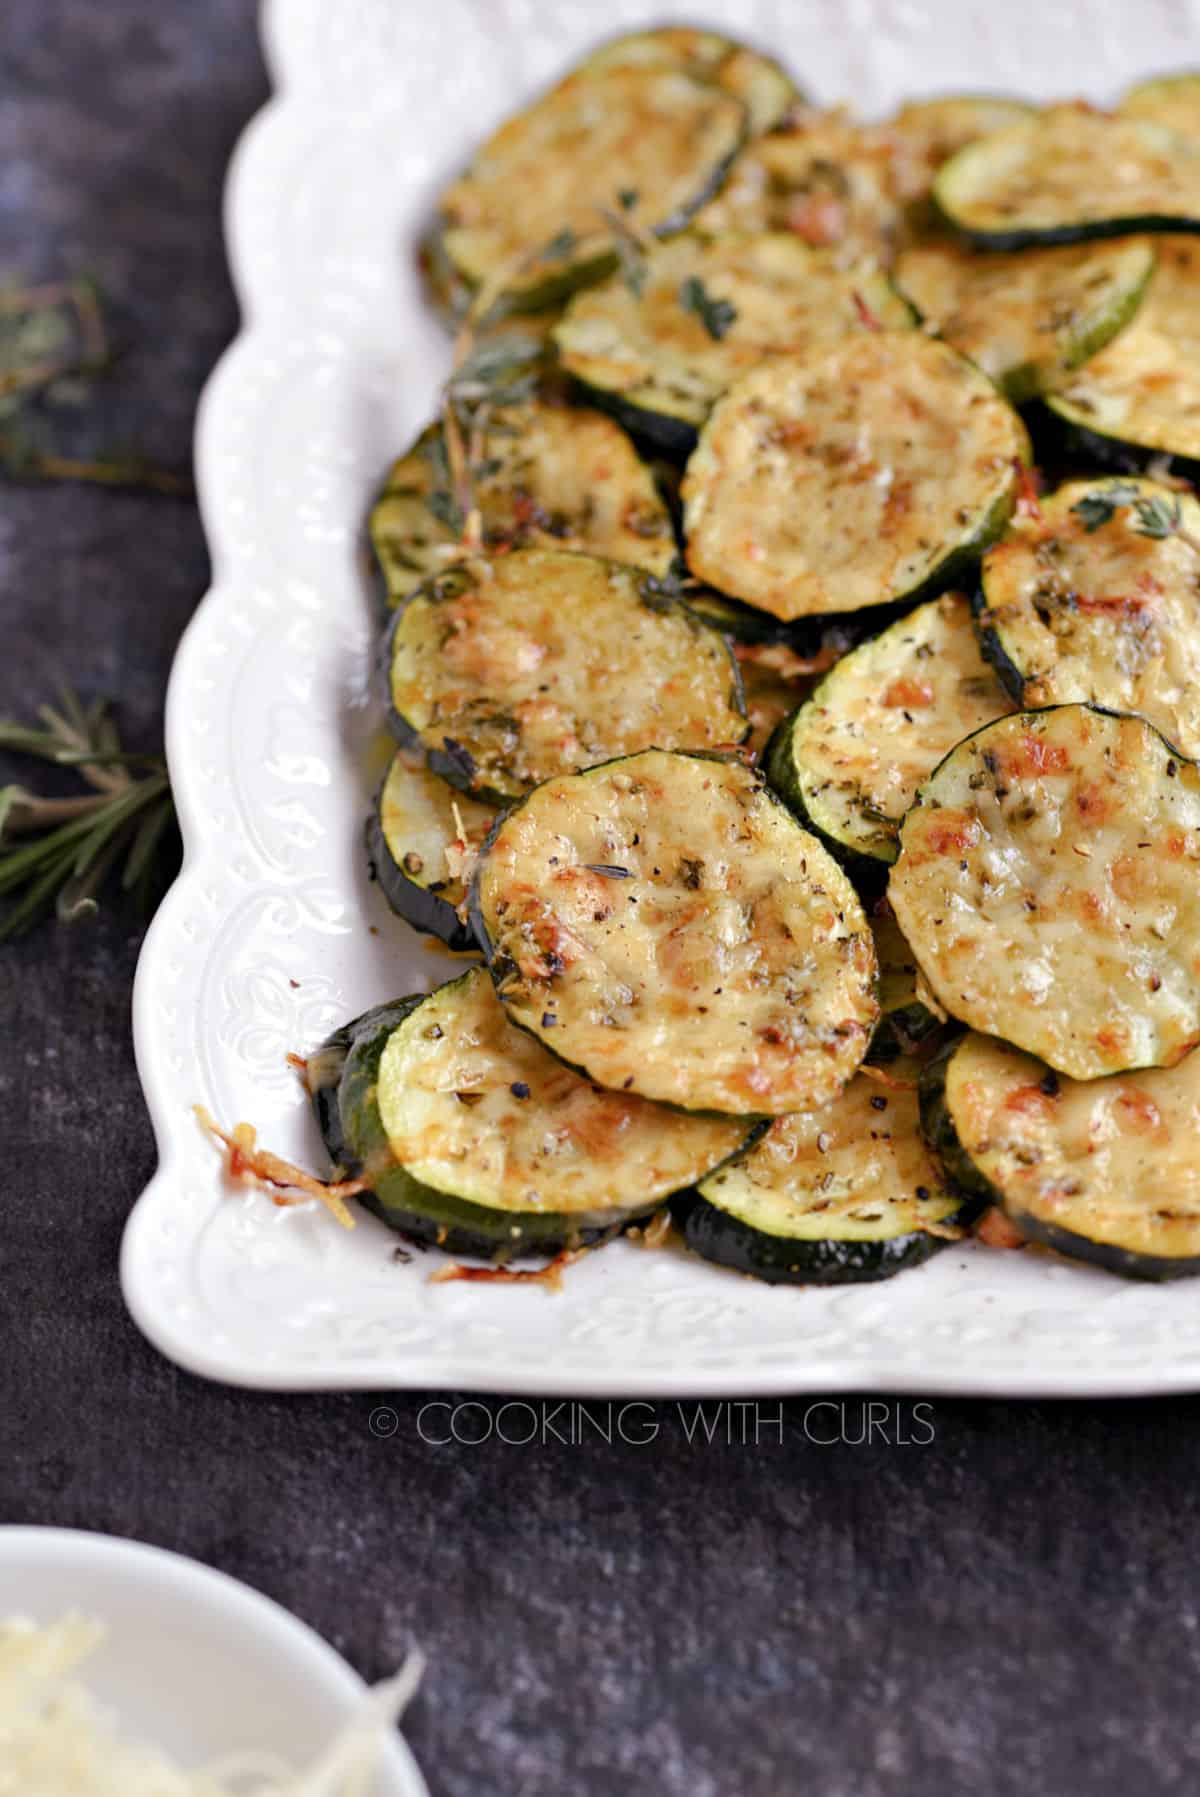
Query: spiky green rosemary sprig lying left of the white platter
{"points": [[75, 844]]}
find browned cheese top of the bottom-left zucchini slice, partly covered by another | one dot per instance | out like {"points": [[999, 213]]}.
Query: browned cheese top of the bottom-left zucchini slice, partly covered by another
{"points": [[477, 1108]]}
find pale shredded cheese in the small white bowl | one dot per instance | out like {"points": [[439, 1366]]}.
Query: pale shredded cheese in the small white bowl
{"points": [[58, 1742]]}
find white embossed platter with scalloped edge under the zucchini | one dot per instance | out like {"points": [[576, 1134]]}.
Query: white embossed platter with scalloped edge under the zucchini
{"points": [[272, 932]]}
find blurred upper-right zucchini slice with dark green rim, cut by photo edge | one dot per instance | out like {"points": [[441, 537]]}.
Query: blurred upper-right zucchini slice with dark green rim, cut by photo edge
{"points": [[1072, 173]]}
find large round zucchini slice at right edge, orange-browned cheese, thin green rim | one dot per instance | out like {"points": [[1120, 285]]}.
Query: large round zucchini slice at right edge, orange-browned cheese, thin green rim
{"points": [[1050, 885]]}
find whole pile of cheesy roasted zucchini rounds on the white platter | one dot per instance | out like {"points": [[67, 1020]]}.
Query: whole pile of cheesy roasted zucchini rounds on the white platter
{"points": [[669, 729]]}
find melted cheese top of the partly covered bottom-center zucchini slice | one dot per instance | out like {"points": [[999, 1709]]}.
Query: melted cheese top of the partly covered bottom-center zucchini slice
{"points": [[856, 1171]]}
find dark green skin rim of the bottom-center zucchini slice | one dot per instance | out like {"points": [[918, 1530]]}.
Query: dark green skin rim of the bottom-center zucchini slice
{"points": [[781, 1261]]}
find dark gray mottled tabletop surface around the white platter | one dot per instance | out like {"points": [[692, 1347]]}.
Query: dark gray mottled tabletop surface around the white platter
{"points": [[1007, 1609]]}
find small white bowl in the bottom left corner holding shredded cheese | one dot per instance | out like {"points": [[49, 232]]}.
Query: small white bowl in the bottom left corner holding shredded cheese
{"points": [[193, 1661]]}
